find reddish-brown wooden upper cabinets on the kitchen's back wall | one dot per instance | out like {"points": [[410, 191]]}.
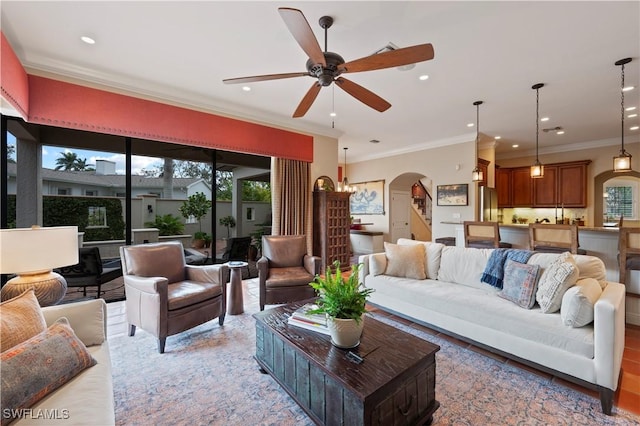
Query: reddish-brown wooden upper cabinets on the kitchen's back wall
{"points": [[562, 184]]}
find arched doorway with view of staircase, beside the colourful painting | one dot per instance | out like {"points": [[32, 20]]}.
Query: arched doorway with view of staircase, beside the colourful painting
{"points": [[405, 220]]}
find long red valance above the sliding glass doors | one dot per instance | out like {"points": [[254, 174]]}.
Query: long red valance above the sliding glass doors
{"points": [[62, 104]]}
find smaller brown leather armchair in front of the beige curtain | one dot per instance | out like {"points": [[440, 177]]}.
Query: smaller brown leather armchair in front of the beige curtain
{"points": [[285, 270]]}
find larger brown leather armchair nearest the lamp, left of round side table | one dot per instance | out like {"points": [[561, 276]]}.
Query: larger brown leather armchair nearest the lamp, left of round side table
{"points": [[165, 296]]}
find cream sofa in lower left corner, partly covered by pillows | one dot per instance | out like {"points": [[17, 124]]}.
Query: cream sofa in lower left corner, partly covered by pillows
{"points": [[87, 399]]}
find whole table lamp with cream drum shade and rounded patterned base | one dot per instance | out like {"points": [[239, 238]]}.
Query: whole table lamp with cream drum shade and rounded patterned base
{"points": [[31, 254]]}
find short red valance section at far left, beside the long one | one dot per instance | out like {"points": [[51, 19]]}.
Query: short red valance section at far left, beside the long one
{"points": [[13, 79]]}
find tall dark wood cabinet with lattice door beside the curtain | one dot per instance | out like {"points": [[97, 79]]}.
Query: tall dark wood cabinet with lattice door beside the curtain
{"points": [[331, 228]]}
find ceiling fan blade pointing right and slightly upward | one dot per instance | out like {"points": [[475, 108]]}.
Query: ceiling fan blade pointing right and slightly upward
{"points": [[392, 58]]}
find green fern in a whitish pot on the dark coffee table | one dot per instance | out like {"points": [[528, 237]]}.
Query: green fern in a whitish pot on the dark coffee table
{"points": [[344, 301]]}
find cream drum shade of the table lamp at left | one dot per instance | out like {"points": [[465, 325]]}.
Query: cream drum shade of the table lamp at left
{"points": [[25, 250]]}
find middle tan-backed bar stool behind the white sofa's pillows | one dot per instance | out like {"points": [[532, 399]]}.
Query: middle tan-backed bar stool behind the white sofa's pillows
{"points": [[554, 238]]}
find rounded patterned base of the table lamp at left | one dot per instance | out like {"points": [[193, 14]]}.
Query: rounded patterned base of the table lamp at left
{"points": [[50, 287]]}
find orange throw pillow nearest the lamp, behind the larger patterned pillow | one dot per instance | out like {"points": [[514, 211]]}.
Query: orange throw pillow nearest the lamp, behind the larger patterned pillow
{"points": [[20, 319]]}
